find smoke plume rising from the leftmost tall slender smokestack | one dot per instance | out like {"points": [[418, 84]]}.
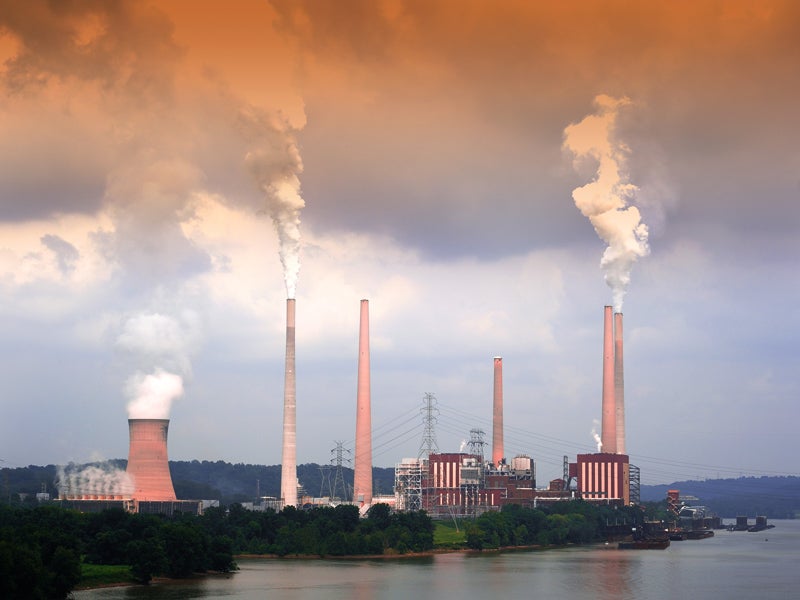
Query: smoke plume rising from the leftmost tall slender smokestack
{"points": [[274, 161]]}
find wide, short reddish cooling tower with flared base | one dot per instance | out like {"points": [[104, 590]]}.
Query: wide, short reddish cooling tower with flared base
{"points": [[148, 464]]}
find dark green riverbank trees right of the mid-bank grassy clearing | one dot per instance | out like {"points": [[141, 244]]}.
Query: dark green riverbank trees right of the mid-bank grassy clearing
{"points": [[563, 523]]}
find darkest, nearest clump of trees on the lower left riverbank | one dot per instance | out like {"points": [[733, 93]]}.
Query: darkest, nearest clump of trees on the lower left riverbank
{"points": [[41, 548]]}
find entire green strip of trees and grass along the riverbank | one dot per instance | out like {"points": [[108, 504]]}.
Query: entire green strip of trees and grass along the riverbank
{"points": [[48, 551]]}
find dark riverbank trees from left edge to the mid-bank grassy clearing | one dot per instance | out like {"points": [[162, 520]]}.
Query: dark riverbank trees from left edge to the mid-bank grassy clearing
{"points": [[41, 548]]}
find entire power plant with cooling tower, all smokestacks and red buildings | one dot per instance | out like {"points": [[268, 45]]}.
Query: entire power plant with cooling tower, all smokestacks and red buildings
{"points": [[444, 484]]}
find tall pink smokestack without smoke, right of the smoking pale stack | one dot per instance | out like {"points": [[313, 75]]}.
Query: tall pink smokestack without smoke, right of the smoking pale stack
{"points": [[362, 477]]}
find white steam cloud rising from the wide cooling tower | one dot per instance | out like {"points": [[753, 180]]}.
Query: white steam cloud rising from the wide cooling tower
{"points": [[161, 345]]}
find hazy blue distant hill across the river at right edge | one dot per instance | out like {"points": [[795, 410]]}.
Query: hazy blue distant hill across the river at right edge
{"points": [[774, 497]]}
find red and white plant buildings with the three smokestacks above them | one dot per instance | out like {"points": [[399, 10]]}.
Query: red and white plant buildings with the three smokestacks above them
{"points": [[449, 484]]}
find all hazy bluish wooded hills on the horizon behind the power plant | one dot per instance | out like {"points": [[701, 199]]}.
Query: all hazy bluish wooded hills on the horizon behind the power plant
{"points": [[775, 497]]}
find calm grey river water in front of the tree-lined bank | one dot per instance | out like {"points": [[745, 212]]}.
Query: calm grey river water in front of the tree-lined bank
{"points": [[731, 565]]}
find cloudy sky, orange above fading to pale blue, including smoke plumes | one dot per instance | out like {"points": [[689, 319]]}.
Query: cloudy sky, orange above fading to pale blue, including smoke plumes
{"points": [[172, 171]]}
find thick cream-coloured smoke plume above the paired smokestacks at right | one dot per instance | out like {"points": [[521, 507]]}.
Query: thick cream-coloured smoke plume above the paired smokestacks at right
{"points": [[605, 199]]}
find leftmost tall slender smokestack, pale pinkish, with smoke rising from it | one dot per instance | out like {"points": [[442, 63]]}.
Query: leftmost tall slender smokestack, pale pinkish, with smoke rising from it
{"points": [[289, 454]]}
